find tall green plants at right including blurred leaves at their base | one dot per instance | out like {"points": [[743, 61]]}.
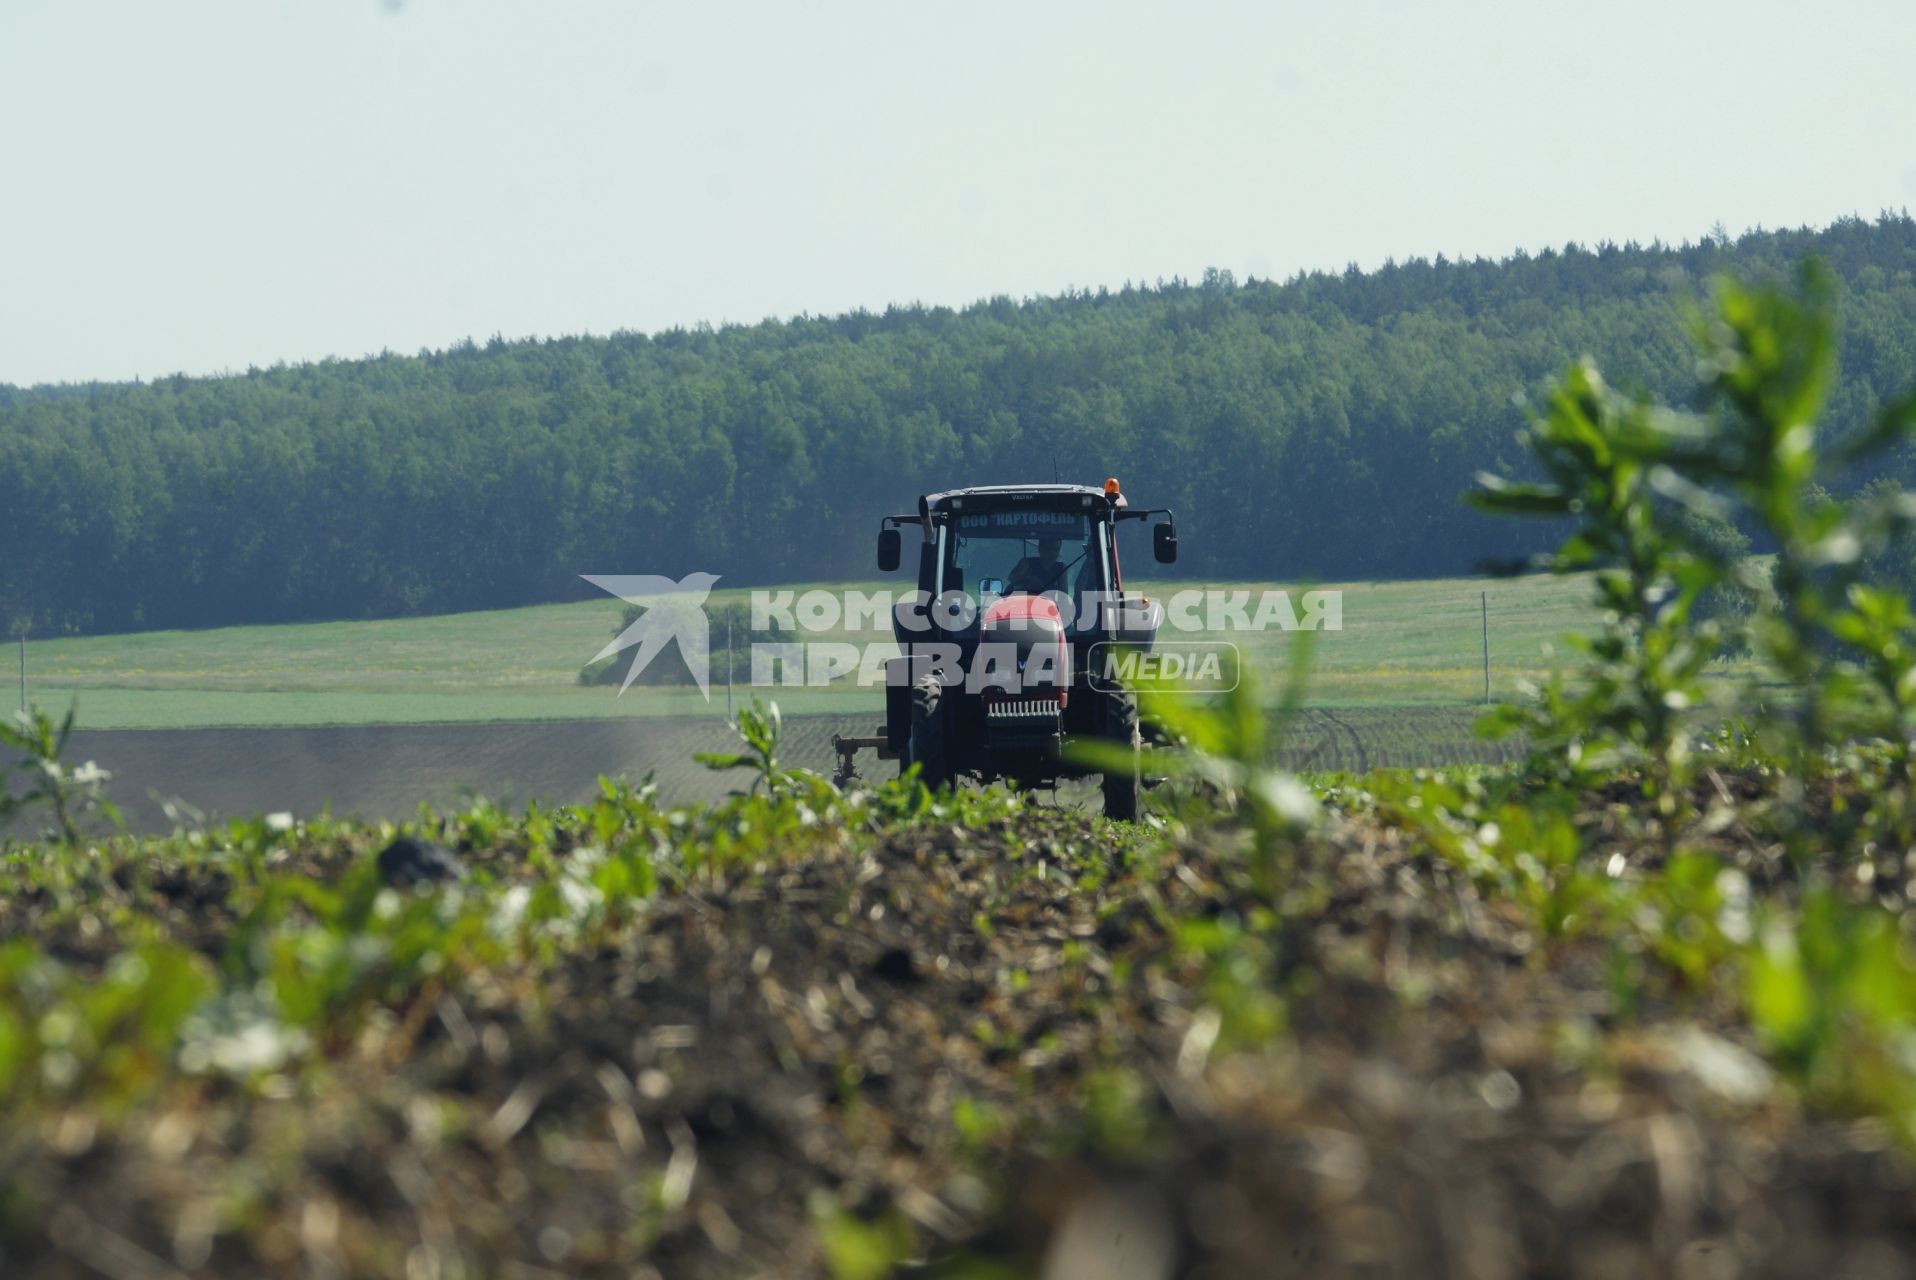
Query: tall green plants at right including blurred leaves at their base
{"points": [[1829, 988]]}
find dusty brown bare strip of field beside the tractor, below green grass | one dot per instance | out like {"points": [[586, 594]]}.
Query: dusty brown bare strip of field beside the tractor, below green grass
{"points": [[388, 771]]}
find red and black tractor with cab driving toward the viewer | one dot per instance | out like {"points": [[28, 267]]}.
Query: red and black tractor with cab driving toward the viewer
{"points": [[1009, 639]]}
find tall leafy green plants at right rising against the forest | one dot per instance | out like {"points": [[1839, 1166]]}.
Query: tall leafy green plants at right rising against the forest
{"points": [[1651, 490]]}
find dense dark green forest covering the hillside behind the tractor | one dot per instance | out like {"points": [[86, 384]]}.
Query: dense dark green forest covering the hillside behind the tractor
{"points": [[1321, 426]]}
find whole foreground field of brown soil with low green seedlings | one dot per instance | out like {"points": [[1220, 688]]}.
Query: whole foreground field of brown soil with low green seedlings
{"points": [[974, 1045]]}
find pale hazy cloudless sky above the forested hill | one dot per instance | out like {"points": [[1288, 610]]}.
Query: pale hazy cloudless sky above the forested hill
{"points": [[208, 185]]}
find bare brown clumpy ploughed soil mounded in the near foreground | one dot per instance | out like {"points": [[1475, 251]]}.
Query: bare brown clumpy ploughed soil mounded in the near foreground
{"points": [[965, 1047]]}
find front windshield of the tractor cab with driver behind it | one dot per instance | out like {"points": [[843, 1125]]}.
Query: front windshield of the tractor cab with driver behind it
{"points": [[1059, 555]]}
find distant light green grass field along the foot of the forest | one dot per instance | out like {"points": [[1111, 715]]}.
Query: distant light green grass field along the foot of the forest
{"points": [[1413, 643]]}
